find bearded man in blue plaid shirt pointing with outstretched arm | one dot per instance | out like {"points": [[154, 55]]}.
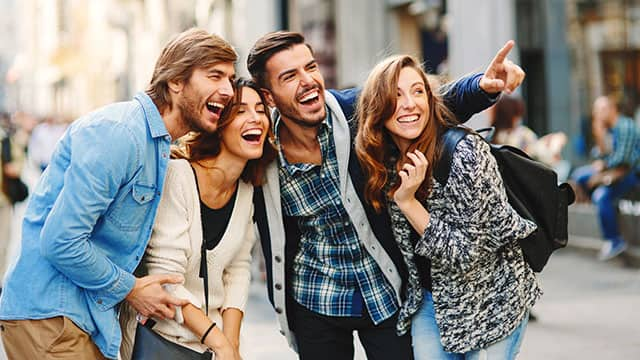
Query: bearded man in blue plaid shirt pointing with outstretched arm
{"points": [[333, 265]]}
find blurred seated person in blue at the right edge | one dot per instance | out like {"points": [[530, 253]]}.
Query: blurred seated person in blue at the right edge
{"points": [[614, 174]]}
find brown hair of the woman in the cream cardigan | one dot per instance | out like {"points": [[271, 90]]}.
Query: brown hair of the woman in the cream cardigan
{"points": [[197, 146]]}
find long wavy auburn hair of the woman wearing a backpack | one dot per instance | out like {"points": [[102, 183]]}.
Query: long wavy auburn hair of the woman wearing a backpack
{"points": [[374, 145]]}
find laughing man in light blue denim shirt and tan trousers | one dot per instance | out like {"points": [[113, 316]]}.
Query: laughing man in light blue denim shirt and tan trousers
{"points": [[90, 217]]}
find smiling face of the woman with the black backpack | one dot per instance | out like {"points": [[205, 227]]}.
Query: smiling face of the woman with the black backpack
{"points": [[412, 109]]}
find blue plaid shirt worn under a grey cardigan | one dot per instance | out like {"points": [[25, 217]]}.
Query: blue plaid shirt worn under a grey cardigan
{"points": [[333, 273]]}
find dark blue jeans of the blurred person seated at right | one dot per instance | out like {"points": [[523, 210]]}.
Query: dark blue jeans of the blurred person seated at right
{"points": [[604, 197]]}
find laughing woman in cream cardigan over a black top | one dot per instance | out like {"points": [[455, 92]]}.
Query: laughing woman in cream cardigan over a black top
{"points": [[207, 208]]}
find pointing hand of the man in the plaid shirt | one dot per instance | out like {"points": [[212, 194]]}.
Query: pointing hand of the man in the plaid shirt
{"points": [[502, 75]]}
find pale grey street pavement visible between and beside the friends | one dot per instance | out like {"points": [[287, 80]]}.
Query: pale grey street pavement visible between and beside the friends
{"points": [[589, 311]]}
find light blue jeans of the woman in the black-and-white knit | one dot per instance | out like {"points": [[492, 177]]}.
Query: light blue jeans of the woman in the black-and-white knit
{"points": [[426, 339]]}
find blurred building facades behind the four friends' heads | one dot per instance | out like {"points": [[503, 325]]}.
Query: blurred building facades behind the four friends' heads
{"points": [[70, 56]]}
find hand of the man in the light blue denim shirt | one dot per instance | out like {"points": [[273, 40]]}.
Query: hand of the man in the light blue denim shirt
{"points": [[151, 300]]}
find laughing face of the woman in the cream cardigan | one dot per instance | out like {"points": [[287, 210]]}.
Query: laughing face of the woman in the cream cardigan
{"points": [[245, 135]]}
